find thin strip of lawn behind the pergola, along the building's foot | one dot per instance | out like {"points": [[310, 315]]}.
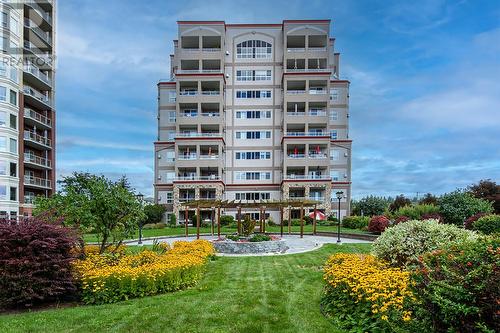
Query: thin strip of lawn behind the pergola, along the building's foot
{"points": [[225, 230]]}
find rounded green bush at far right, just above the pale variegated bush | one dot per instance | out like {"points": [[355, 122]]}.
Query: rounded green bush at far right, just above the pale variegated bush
{"points": [[456, 207]]}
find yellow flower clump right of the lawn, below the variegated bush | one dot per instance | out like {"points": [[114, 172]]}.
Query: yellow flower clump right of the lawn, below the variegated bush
{"points": [[361, 283]]}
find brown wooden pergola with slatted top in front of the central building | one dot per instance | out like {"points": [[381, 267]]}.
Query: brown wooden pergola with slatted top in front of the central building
{"points": [[238, 205]]}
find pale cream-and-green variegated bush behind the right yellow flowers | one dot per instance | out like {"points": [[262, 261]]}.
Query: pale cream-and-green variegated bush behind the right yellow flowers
{"points": [[402, 244]]}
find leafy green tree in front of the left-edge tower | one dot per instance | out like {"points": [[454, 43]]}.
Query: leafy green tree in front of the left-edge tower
{"points": [[95, 204]]}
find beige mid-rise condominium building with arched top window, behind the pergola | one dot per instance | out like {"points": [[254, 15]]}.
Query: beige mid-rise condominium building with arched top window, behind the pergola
{"points": [[253, 112]]}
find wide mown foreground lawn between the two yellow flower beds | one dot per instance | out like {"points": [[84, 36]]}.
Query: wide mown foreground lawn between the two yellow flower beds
{"points": [[244, 294]]}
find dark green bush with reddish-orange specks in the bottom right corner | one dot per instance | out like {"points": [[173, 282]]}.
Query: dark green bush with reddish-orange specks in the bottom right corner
{"points": [[459, 287]]}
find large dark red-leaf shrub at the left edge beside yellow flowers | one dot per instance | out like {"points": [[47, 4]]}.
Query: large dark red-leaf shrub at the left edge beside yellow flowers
{"points": [[35, 263]]}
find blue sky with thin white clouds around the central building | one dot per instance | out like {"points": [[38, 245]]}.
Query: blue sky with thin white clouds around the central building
{"points": [[425, 88]]}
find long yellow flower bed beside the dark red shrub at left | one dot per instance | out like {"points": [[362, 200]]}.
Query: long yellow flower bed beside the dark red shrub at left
{"points": [[108, 278]]}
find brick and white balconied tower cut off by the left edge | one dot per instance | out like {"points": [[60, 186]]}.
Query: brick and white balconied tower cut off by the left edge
{"points": [[27, 115]]}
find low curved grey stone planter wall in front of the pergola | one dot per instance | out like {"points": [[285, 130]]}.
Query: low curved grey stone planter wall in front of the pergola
{"points": [[228, 246]]}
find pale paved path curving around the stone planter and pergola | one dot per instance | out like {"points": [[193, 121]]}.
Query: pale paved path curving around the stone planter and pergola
{"points": [[294, 242]]}
